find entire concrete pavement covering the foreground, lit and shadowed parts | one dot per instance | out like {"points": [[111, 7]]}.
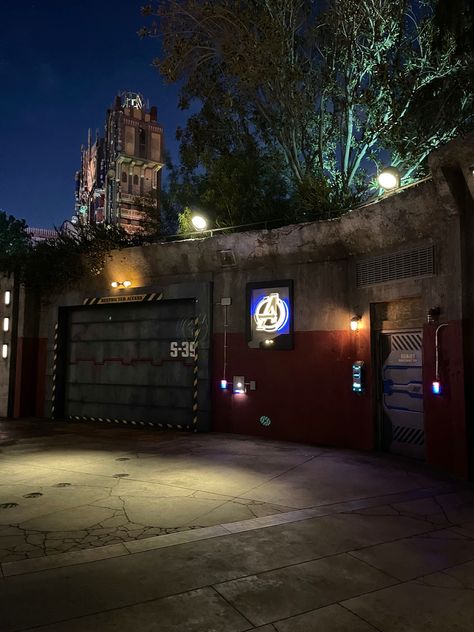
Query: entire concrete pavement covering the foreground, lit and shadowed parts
{"points": [[248, 534]]}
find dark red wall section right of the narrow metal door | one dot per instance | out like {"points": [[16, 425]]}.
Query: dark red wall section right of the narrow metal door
{"points": [[445, 419]]}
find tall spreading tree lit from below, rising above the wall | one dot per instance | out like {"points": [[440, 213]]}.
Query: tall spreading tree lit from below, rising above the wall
{"points": [[336, 88]]}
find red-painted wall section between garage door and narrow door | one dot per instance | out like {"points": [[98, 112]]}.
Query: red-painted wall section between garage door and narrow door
{"points": [[306, 392]]}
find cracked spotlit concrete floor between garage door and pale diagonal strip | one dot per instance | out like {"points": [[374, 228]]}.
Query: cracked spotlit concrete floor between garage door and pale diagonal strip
{"points": [[67, 487]]}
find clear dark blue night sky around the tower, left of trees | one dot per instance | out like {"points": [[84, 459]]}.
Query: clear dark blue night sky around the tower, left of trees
{"points": [[61, 64]]}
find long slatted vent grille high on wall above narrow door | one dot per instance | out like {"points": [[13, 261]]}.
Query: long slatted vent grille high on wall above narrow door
{"points": [[393, 267]]}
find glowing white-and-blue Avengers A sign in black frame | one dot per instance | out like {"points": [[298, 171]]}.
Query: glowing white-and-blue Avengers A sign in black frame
{"points": [[270, 315]]}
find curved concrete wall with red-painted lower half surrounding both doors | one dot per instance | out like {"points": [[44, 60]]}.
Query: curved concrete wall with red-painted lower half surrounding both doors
{"points": [[306, 392]]}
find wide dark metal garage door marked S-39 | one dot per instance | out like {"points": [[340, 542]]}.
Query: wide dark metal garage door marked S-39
{"points": [[132, 362]]}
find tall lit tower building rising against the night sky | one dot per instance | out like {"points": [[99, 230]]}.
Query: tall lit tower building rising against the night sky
{"points": [[122, 167]]}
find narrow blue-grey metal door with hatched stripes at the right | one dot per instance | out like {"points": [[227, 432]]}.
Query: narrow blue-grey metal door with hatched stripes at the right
{"points": [[402, 396]]}
